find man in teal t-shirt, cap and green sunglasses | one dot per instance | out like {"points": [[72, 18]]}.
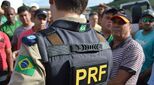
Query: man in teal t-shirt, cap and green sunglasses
{"points": [[146, 38]]}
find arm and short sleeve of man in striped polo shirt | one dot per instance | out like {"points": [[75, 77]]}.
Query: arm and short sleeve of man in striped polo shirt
{"points": [[131, 65]]}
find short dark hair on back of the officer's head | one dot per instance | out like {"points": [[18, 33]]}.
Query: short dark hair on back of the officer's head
{"points": [[77, 6]]}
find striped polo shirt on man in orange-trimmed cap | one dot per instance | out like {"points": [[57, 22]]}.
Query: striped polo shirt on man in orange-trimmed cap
{"points": [[128, 56]]}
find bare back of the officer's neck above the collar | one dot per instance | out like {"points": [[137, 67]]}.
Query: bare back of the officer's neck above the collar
{"points": [[61, 14]]}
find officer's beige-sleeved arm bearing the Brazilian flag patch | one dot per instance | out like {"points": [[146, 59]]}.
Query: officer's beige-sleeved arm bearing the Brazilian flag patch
{"points": [[35, 72]]}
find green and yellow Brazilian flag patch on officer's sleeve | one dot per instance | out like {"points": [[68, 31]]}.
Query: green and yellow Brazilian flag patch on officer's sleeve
{"points": [[25, 65]]}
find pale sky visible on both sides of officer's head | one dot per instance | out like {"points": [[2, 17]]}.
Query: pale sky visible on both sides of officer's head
{"points": [[45, 2]]}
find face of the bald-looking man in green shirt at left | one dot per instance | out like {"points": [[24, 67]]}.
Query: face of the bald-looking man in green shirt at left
{"points": [[10, 15]]}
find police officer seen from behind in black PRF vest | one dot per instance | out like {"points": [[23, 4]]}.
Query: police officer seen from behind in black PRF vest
{"points": [[69, 52]]}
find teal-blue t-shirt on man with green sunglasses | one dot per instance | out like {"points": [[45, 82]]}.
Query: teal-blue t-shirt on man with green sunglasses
{"points": [[147, 42]]}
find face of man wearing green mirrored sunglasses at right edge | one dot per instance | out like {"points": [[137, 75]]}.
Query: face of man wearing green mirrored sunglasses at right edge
{"points": [[147, 23]]}
